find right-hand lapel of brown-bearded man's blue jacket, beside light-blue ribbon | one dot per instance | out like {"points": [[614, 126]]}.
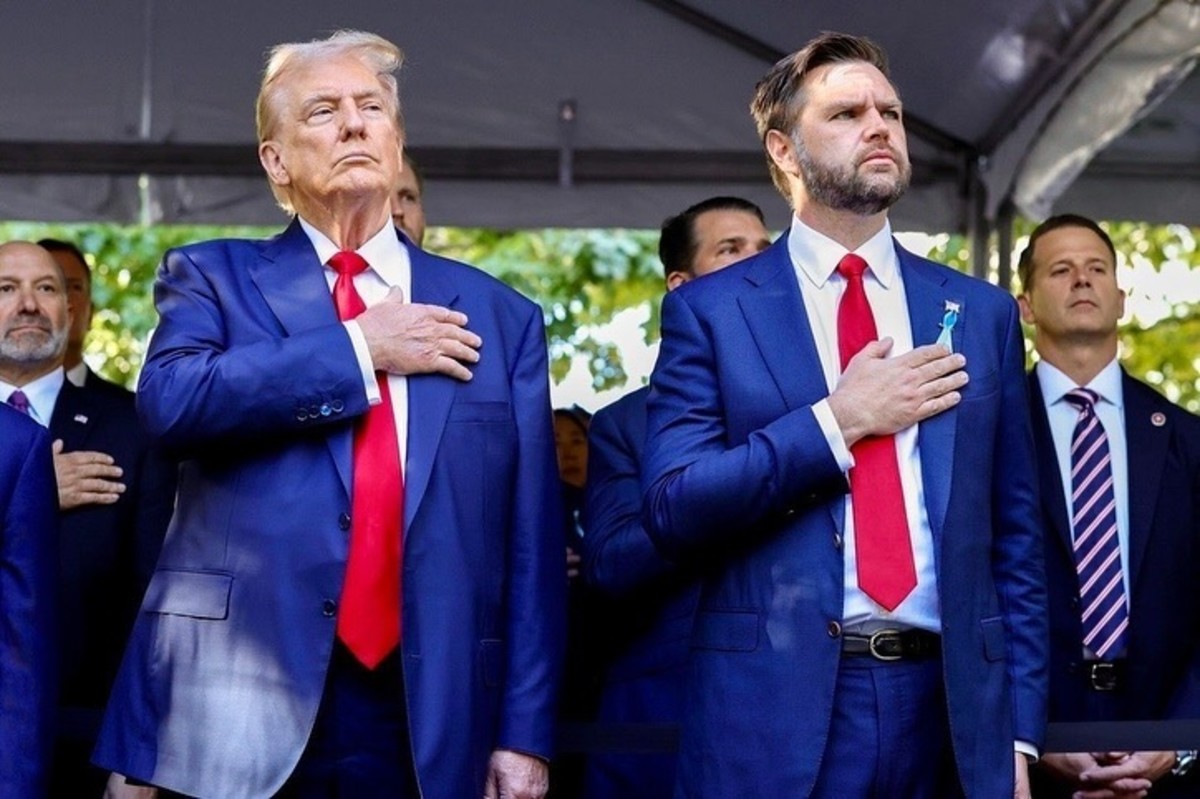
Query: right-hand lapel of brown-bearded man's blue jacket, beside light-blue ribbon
{"points": [[927, 297]]}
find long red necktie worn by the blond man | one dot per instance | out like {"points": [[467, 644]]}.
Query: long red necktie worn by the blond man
{"points": [[369, 621]]}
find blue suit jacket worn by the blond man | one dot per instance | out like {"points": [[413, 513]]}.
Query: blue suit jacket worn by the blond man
{"points": [[251, 376]]}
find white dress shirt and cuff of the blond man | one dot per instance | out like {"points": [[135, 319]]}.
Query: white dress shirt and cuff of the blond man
{"points": [[389, 266]]}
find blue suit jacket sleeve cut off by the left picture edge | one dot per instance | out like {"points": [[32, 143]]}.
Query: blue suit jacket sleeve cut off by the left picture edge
{"points": [[29, 509]]}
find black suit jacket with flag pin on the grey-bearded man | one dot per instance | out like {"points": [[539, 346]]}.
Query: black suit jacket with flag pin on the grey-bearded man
{"points": [[107, 552]]}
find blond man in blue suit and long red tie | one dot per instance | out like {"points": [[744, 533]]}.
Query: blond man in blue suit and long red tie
{"points": [[362, 592]]}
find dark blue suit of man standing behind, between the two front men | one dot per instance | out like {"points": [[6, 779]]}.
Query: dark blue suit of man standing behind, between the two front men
{"points": [[646, 603]]}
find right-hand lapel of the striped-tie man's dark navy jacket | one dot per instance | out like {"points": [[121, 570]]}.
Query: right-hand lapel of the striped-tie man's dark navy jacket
{"points": [[1147, 455]]}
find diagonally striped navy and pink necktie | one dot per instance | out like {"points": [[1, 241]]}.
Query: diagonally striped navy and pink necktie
{"points": [[1106, 615]]}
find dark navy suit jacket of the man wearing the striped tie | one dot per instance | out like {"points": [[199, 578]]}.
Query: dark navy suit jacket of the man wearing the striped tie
{"points": [[1163, 658]]}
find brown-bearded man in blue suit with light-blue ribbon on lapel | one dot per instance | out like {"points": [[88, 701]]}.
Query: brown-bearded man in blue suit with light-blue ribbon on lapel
{"points": [[839, 443]]}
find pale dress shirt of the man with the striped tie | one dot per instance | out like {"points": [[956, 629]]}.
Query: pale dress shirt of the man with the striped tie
{"points": [[1111, 410]]}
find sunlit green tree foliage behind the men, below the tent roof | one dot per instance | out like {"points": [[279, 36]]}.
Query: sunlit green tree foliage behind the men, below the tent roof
{"points": [[583, 279]]}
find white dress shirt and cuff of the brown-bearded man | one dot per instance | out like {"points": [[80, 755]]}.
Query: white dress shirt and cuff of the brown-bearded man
{"points": [[815, 259]]}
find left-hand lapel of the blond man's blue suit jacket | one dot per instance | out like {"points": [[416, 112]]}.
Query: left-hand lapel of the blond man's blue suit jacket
{"points": [[293, 284]]}
